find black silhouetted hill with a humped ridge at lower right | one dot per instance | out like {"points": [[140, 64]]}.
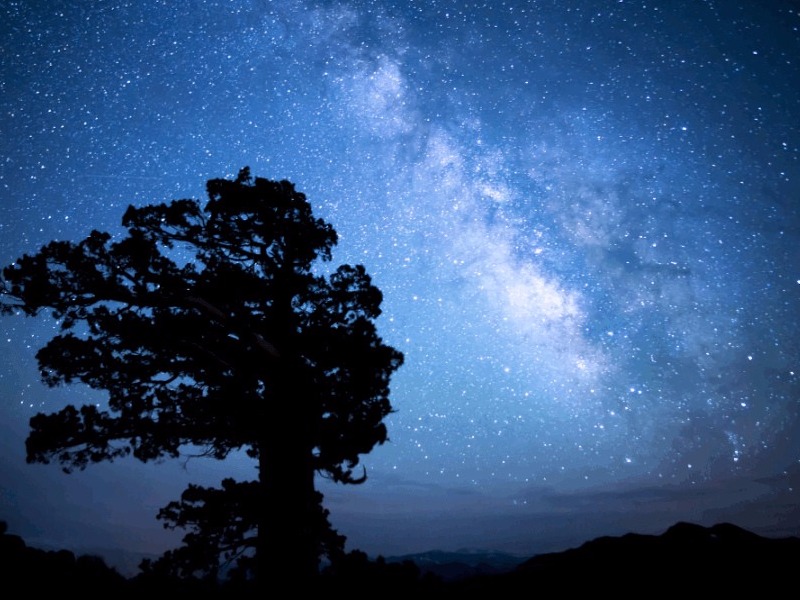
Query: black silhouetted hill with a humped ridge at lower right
{"points": [[684, 558]]}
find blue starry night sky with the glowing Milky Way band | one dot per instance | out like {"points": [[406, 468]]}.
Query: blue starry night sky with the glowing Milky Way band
{"points": [[583, 214]]}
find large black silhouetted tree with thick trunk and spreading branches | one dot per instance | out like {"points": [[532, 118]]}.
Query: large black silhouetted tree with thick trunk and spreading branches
{"points": [[213, 329]]}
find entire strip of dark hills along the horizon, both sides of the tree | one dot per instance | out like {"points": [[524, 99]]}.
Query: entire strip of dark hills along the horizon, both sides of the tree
{"points": [[685, 560]]}
